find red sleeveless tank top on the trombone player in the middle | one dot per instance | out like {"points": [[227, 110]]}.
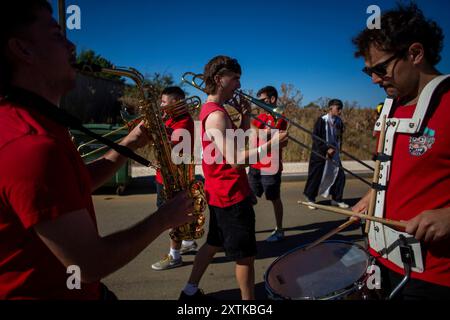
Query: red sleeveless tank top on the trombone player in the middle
{"points": [[224, 185]]}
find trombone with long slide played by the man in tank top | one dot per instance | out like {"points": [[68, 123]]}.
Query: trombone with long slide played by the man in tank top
{"points": [[196, 81]]}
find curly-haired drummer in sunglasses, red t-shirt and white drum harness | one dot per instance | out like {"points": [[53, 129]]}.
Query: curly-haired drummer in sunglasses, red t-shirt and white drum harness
{"points": [[401, 58]]}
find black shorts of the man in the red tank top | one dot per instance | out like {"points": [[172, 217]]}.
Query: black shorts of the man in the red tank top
{"points": [[233, 229]]}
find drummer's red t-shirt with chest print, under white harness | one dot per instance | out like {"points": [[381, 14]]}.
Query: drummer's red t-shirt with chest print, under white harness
{"points": [[420, 180]]}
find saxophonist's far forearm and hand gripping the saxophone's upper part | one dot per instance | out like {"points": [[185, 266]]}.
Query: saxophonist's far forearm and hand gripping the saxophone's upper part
{"points": [[103, 168]]}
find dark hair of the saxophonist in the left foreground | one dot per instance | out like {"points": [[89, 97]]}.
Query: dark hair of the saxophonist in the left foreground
{"points": [[14, 15]]}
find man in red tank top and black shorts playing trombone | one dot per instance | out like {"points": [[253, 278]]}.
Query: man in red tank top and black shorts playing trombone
{"points": [[232, 218]]}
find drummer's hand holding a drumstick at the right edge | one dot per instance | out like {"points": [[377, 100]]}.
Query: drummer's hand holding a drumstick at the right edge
{"points": [[430, 226]]}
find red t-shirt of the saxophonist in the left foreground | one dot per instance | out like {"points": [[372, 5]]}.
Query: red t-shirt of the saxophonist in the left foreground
{"points": [[42, 177]]}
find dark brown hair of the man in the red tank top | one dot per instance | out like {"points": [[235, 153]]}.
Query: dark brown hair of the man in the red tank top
{"points": [[220, 65]]}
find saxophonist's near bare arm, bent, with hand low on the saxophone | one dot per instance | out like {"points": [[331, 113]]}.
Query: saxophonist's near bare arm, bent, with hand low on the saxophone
{"points": [[74, 240]]}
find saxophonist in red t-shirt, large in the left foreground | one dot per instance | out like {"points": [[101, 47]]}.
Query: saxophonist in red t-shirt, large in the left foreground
{"points": [[50, 247]]}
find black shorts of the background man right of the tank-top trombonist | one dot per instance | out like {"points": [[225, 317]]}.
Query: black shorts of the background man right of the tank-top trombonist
{"points": [[268, 184]]}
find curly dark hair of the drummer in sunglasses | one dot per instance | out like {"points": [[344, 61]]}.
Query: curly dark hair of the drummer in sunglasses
{"points": [[400, 28]]}
